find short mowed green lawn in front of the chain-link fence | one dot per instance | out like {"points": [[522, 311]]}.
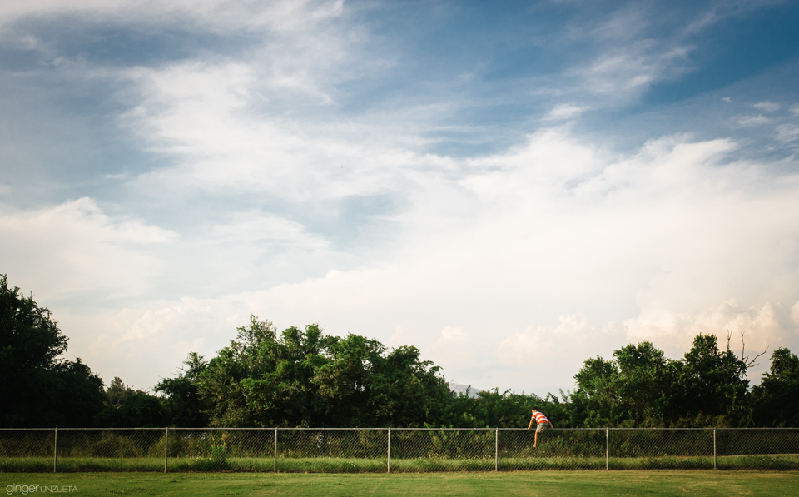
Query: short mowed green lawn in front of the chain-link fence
{"points": [[531, 483]]}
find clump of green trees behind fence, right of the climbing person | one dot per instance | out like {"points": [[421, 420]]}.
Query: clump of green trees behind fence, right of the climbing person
{"points": [[640, 387]]}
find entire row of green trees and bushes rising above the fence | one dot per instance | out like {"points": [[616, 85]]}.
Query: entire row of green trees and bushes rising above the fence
{"points": [[306, 378]]}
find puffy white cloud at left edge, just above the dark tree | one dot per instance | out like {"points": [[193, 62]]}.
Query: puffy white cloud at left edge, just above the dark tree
{"points": [[75, 248]]}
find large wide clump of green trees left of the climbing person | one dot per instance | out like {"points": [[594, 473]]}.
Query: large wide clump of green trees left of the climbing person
{"points": [[307, 378]]}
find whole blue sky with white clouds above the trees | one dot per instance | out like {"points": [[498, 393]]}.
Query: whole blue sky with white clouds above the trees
{"points": [[512, 187]]}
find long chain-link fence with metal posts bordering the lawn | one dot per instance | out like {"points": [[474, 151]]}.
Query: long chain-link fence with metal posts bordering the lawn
{"points": [[378, 450]]}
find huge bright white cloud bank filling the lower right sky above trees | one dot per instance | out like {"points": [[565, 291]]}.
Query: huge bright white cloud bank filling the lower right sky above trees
{"points": [[673, 230]]}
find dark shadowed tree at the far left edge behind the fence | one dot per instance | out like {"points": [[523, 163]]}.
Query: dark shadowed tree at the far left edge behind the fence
{"points": [[39, 389]]}
